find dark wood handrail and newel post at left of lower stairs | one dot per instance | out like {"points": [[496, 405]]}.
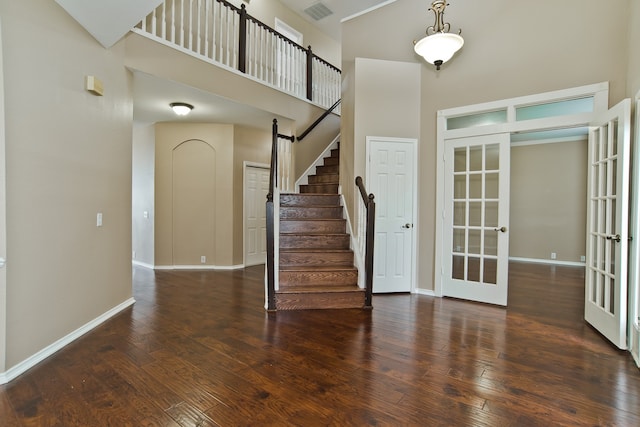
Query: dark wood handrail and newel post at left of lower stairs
{"points": [[270, 217]]}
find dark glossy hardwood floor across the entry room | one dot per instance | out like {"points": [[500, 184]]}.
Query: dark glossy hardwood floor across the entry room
{"points": [[198, 349]]}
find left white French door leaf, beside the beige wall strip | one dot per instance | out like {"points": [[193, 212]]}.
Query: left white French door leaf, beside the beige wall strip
{"points": [[476, 218]]}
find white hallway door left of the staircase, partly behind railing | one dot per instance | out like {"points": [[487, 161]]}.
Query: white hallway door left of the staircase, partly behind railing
{"points": [[256, 187]]}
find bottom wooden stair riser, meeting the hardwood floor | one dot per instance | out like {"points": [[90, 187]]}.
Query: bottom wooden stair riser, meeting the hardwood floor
{"points": [[353, 299]]}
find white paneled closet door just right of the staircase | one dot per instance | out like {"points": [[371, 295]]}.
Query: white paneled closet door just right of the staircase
{"points": [[392, 181]]}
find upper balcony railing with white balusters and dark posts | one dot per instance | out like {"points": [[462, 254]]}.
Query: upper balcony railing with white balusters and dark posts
{"points": [[220, 33]]}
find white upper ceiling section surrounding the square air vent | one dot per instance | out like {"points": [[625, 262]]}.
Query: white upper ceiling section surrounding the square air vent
{"points": [[341, 9]]}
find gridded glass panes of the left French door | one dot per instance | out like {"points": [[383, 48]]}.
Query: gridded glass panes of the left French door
{"points": [[475, 210]]}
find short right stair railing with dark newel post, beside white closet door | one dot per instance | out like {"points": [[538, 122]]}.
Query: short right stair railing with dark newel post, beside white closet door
{"points": [[366, 233]]}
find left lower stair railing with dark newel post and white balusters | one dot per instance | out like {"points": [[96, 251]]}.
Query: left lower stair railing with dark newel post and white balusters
{"points": [[276, 181]]}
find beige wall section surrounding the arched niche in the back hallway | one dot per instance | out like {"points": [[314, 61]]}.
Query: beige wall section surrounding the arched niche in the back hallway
{"points": [[218, 243]]}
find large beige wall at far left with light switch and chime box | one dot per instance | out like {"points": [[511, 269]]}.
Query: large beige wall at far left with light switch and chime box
{"points": [[68, 156]]}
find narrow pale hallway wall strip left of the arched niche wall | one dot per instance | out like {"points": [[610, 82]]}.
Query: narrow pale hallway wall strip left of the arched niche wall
{"points": [[143, 194]]}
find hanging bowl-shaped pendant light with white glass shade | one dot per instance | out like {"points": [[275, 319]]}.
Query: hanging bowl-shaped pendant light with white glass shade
{"points": [[439, 45]]}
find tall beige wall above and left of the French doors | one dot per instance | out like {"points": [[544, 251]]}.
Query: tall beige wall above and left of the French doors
{"points": [[511, 57]]}
